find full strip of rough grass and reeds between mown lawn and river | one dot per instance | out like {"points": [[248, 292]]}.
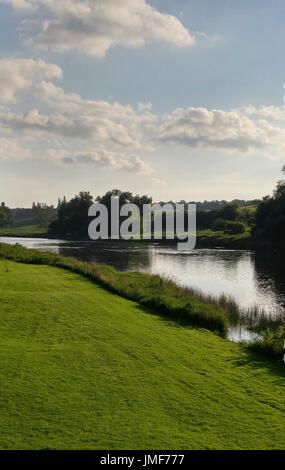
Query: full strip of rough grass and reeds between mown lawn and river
{"points": [[183, 305]]}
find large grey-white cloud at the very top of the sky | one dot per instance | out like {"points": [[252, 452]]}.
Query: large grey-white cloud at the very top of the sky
{"points": [[94, 26]]}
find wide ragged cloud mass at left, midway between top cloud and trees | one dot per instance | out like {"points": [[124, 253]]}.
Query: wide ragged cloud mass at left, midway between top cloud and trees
{"points": [[85, 132]]}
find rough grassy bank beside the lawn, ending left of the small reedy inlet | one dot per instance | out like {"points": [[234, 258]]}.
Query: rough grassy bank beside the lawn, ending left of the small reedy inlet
{"points": [[150, 290]]}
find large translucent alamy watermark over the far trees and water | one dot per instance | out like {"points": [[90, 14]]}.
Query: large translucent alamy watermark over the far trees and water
{"points": [[146, 223]]}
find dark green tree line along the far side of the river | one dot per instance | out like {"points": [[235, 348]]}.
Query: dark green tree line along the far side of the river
{"points": [[265, 219]]}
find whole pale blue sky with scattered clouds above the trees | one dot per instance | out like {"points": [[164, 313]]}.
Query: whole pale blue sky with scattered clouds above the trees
{"points": [[177, 100]]}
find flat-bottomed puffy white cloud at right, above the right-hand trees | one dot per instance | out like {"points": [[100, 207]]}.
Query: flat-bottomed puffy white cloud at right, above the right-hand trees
{"points": [[218, 129]]}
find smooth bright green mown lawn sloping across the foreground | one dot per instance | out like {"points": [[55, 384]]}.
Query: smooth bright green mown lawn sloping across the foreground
{"points": [[82, 368]]}
